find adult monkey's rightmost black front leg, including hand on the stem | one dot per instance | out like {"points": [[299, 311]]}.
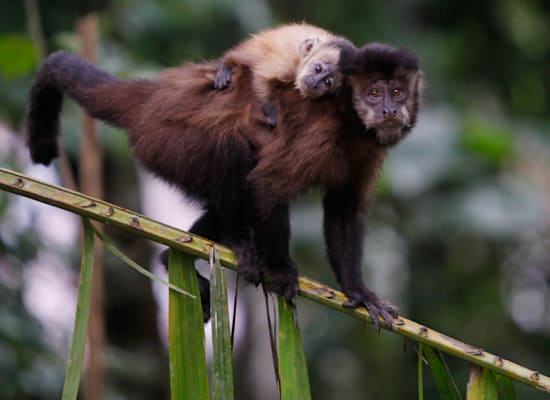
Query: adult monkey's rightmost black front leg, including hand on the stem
{"points": [[343, 228]]}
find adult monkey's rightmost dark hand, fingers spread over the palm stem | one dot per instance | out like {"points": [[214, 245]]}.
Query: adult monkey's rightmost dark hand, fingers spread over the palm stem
{"points": [[378, 310]]}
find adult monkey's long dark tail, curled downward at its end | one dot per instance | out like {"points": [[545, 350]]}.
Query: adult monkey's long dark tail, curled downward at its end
{"points": [[60, 73]]}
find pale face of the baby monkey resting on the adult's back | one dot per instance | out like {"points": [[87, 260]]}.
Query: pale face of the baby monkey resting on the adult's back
{"points": [[318, 73]]}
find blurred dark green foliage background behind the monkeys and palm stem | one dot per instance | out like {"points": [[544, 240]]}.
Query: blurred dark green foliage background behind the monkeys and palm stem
{"points": [[458, 234]]}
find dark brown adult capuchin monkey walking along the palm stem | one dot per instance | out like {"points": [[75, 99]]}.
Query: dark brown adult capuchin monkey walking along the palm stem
{"points": [[215, 146]]}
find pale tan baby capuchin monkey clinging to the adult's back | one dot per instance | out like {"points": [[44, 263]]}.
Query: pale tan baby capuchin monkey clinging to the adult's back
{"points": [[302, 54]]}
